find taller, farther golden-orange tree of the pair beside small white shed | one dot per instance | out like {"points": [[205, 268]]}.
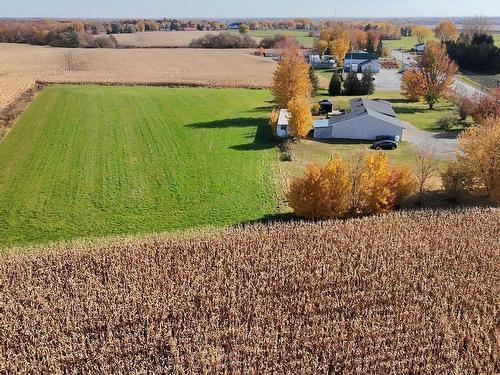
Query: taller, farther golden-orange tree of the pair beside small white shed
{"points": [[291, 78]]}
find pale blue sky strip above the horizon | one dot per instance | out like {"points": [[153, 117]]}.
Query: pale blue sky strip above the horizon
{"points": [[247, 8]]}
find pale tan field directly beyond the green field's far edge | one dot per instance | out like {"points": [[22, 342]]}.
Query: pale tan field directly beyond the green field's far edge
{"points": [[22, 65]]}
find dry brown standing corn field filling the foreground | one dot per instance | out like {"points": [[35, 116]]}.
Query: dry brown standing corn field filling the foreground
{"points": [[403, 293]]}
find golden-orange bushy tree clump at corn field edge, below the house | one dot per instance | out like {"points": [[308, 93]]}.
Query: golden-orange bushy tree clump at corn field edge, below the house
{"points": [[365, 185]]}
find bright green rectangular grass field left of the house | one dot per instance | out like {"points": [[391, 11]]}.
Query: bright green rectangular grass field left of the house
{"points": [[98, 161]]}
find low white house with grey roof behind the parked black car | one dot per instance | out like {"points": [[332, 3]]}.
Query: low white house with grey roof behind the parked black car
{"points": [[367, 120]]}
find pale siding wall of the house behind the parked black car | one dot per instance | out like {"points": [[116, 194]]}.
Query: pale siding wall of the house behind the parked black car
{"points": [[365, 128]]}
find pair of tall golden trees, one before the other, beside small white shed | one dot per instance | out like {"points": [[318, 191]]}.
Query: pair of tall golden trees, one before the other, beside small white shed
{"points": [[292, 89]]}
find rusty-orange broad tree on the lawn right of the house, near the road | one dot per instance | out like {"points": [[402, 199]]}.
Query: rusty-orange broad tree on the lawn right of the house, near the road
{"points": [[432, 78]]}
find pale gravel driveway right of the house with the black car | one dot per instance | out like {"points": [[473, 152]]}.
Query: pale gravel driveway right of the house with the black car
{"points": [[443, 144]]}
